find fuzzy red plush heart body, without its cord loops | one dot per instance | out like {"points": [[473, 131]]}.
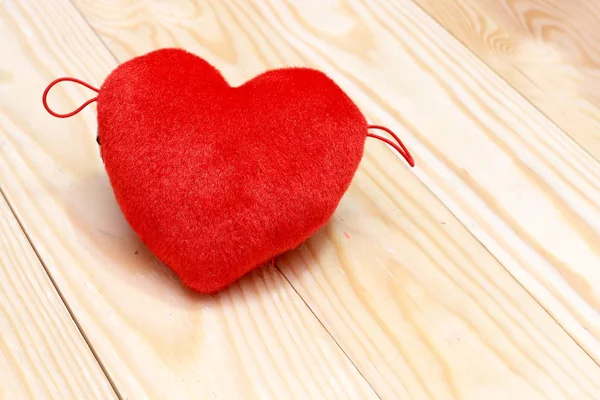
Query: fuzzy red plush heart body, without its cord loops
{"points": [[217, 180]]}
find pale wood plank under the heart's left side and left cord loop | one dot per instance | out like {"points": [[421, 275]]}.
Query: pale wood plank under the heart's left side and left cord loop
{"points": [[156, 339]]}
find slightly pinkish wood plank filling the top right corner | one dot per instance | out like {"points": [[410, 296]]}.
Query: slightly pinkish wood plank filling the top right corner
{"points": [[549, 50]]}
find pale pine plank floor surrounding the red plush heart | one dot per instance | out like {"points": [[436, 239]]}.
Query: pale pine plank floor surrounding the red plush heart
{"points": [[474, 276]]}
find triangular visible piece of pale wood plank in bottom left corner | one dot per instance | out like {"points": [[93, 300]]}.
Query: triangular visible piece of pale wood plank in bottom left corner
{"points": [[42, 353]]}
